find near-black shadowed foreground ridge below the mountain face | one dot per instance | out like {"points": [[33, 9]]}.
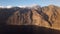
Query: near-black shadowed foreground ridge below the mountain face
{"points": [[27, 29]]}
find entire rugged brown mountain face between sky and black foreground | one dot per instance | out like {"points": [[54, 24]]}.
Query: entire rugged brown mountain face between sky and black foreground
{"points": [[48, 16]]}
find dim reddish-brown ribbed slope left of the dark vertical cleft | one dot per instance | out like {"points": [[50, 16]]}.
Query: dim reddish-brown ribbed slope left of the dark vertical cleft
{"points": [[20, 17]]}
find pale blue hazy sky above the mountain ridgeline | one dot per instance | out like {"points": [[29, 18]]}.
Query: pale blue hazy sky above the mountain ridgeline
{"points": [[28, 2]]}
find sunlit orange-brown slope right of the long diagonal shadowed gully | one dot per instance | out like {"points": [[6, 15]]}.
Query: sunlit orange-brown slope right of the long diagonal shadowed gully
{"points": [[54, 15]]}
